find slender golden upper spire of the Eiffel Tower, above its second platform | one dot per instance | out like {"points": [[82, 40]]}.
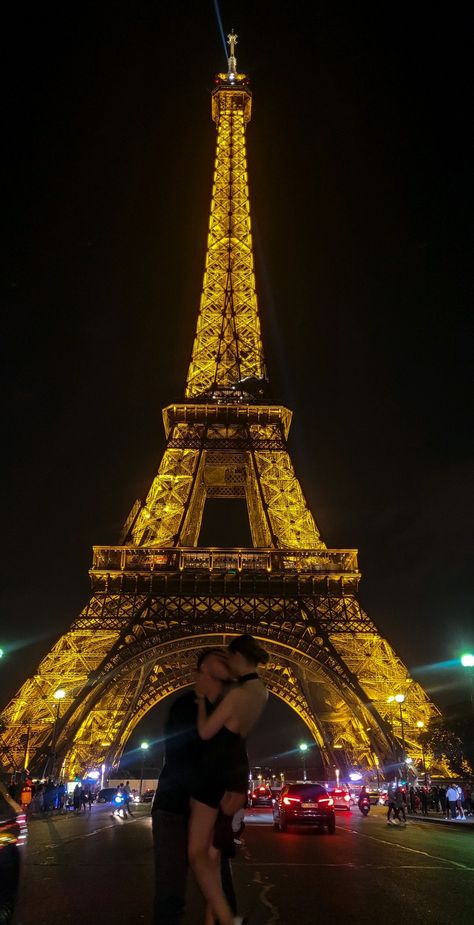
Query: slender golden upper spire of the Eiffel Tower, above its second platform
{"points": [[227, 348]]}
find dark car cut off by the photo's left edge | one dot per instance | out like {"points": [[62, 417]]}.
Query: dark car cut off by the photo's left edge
{"points": [[13, 832]]}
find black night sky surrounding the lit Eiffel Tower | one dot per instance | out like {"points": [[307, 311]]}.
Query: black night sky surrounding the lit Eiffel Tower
{"points": [[361, 193]]}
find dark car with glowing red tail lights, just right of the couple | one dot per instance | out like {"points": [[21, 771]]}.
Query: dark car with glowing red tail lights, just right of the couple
{"points": [[304, 804]]}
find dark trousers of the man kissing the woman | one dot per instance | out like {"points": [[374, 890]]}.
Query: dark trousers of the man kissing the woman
{"points": [[170, 840]]}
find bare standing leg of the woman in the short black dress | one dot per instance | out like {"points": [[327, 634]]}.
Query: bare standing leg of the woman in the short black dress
{"points": [[201, 827]]}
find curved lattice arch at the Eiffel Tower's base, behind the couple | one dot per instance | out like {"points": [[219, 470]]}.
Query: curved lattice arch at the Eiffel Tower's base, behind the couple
{"points": [[308, 678]]}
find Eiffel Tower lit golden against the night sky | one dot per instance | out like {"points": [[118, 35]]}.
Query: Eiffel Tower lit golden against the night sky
{"points": [[158, 597]]}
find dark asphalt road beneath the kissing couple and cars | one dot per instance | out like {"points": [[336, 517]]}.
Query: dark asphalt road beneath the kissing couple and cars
{"points": [[97, 869]]}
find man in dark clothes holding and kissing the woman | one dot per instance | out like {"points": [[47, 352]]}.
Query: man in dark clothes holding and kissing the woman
{"points": [[170, 808]]}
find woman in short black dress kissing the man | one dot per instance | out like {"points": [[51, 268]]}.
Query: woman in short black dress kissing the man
{"points": [[221, 780]]}
